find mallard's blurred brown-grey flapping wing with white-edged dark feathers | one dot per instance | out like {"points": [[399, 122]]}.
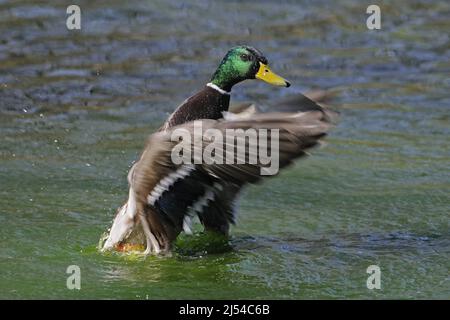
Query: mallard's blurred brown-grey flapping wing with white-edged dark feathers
{"points": [[178, 192]]}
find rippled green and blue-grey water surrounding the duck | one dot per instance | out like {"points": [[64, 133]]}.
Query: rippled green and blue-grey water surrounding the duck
{"points": [[76, 108]]}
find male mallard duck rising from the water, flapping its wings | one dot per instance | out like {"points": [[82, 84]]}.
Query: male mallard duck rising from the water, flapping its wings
{"points": [[164, 196]]}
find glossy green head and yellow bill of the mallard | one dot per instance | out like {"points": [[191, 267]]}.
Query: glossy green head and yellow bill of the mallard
{"points": [[241, 63]]}
